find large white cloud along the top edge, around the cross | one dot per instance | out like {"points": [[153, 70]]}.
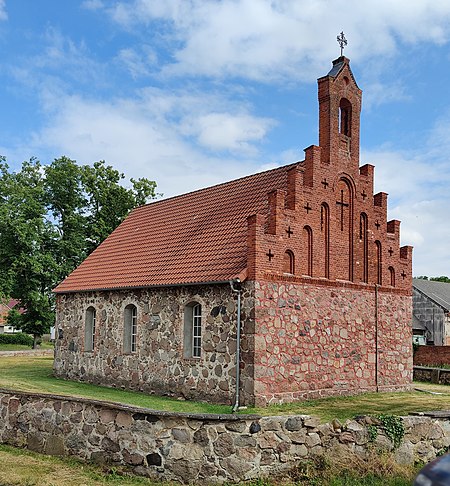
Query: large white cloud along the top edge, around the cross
{"points": [[270, 39]]}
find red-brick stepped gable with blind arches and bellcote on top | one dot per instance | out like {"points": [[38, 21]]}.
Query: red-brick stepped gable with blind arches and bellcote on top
{"points": [[330, 176]]}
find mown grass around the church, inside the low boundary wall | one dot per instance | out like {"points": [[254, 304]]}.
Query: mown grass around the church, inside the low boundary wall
{"points": [[29, 373]]}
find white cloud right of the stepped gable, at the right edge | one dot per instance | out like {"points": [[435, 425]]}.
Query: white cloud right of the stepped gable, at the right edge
{"points": [[419, 183]]}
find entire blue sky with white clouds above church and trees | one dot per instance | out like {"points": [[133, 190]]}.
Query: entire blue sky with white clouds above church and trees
{"points": [[195, 92]]}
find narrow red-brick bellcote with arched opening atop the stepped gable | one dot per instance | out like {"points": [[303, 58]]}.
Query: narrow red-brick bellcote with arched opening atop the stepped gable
{"points": [[339, 116]]}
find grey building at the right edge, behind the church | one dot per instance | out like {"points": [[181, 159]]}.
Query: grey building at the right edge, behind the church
{"points": [[431, 312]]}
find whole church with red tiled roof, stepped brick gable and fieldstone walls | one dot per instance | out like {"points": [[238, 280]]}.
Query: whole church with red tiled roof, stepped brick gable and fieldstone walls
{"points": [[326, 289]]}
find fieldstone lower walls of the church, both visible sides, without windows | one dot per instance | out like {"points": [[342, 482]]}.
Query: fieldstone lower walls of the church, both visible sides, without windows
{"points": [[299, 341]]}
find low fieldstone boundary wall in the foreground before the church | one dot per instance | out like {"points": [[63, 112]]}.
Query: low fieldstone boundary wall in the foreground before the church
{"points": [[198, 448]]}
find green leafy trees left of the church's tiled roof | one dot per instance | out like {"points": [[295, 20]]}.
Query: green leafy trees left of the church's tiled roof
{"points": [[51, 218]]}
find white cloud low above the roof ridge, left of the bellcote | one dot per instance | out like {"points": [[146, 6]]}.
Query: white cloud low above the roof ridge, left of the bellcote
{"points": [[145, 137]]}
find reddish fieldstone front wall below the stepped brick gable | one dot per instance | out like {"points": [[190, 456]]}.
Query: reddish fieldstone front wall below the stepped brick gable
{"points": [[317, 340]]}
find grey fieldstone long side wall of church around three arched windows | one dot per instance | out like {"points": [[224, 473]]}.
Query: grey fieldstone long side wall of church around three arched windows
{"points": [[158, 365]]}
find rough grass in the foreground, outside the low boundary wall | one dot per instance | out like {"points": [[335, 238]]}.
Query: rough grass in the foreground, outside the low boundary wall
{"points": [[20, 467]]}
